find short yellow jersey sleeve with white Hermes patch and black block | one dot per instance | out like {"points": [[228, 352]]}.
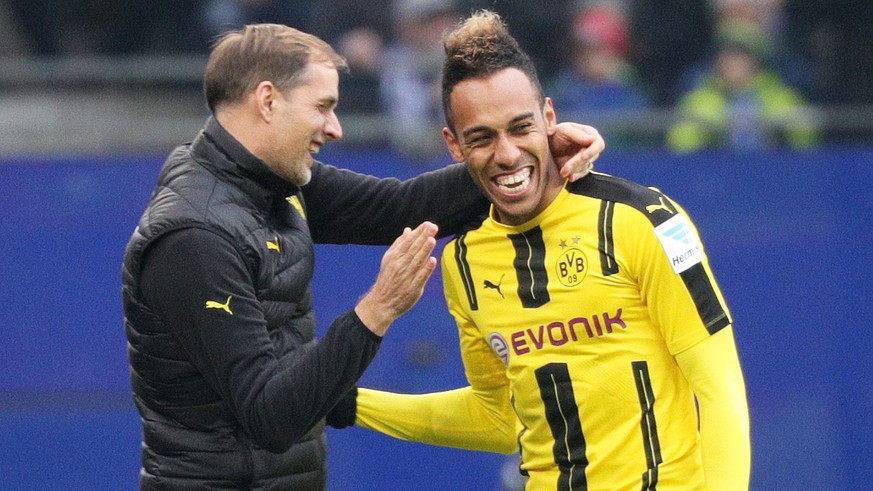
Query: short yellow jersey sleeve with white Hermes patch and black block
{"points": [[675, 278]]}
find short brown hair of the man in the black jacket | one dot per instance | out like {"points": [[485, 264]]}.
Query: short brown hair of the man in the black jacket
{"points": [[243, 58]]}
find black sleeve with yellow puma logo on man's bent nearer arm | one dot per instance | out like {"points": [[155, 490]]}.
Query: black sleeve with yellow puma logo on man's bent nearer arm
{"points": [[197, 283]]}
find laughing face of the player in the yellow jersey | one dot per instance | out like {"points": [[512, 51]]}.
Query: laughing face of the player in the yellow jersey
{"points": [[501, 131]]}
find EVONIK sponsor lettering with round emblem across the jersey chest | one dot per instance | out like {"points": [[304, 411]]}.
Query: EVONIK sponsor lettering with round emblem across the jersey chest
{"points": [[559, 333]]}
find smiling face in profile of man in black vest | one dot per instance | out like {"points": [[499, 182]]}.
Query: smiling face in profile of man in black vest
{"points": [[303, 120]]}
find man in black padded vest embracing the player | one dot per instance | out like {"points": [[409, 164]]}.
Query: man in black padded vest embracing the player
{"points": [[230, 382]]}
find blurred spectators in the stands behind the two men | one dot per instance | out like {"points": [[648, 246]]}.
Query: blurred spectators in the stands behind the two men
{"points": [[740, 74]]}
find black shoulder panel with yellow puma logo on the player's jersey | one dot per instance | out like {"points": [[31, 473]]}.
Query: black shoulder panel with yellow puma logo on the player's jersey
{"points": [[649, 201]]}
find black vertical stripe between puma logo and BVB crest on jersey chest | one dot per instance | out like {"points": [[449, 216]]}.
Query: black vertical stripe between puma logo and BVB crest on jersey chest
{"points": [[530, 267]]}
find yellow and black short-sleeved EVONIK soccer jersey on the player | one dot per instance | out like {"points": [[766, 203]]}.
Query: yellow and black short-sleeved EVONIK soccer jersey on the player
{"points": [[581, 311]]}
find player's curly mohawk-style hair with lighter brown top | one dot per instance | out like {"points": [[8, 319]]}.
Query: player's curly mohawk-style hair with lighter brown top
{"points": [[479, 47]]}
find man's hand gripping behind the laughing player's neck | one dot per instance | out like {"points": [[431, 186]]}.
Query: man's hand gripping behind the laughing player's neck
{"points": [[575, 147]]}
